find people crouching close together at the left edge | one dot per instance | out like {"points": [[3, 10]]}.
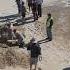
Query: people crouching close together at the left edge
{"points": [[10, 34]]}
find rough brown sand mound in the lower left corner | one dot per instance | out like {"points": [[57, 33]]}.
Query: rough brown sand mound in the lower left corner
{"points": [[11, 57]]}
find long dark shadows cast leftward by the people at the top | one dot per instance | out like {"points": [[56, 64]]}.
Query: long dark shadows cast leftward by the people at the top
{"points": [[16, 19]]}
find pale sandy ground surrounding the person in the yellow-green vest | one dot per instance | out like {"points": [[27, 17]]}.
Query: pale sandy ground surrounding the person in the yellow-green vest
{"points": [[56, 54]]}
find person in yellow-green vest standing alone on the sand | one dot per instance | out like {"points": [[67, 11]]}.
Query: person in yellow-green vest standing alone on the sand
{"points": [[49, 25]]}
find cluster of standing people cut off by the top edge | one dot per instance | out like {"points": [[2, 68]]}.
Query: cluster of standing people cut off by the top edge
{"points": [[34, 5]]}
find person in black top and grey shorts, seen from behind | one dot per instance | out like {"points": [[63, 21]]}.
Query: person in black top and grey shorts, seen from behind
{"points": [[35, 53]]}
